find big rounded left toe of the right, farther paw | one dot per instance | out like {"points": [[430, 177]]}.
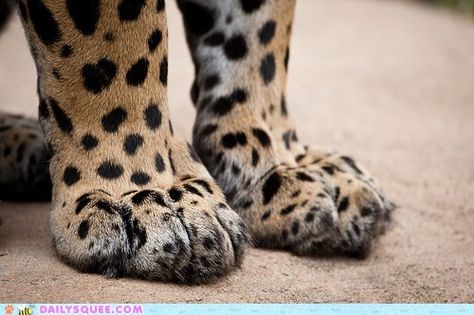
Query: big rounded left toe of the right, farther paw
{"points": [[294, 208]]}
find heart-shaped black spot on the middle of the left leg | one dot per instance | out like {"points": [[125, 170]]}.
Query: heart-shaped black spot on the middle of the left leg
{"points": [[98, 77]]}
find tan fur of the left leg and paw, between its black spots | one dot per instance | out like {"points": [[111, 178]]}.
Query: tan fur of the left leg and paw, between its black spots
{"points": [[191, 238]]}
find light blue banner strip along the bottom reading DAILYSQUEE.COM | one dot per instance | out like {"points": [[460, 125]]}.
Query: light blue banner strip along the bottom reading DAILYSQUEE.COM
{"points": [[246, 309]]}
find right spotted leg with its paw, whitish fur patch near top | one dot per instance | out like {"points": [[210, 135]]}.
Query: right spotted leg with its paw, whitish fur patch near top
{"points": [[246, 139]]}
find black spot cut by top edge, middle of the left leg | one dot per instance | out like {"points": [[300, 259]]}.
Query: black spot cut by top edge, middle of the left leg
{"points": [[85, 14]]}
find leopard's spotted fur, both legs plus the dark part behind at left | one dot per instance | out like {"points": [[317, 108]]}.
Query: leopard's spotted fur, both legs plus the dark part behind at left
{"points": [[130, 197]]}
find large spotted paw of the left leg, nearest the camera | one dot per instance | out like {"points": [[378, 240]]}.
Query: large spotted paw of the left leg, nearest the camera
{"points": [[185, 234]]}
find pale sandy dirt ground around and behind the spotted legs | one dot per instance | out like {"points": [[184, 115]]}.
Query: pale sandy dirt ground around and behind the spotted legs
{"points": [[389, 82]]}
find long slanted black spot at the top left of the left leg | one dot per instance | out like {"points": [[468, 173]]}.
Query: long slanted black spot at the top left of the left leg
{"points": [[44, 23]]}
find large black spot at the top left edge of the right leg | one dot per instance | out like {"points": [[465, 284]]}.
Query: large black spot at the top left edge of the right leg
{"points": [[198, 19]]}
